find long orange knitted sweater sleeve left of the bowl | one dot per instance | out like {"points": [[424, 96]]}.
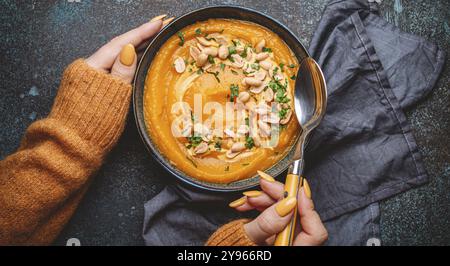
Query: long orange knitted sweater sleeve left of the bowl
{"points": [[42, 183]]}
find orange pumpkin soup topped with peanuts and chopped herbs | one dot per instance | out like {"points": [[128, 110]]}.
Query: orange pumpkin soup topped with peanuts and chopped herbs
{"points": [[218, 100]]}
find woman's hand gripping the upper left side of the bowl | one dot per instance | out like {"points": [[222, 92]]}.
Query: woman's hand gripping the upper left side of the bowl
{"points": [[118, 56]]}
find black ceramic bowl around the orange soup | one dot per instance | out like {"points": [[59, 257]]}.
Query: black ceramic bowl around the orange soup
{"points": [[229, 12]]}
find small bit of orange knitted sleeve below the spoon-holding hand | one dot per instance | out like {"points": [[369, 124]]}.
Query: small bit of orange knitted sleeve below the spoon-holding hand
{"points": [[231, 234]]}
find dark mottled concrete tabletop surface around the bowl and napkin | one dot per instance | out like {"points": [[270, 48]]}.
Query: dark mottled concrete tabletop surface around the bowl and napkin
{"points": [[39, 38]]}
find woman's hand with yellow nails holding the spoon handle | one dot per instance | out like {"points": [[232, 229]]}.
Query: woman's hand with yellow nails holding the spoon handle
{"points": [[277, 214]]}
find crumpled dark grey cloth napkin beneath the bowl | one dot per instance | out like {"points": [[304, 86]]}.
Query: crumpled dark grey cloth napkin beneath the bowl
{"points": [[361, 153]]}
